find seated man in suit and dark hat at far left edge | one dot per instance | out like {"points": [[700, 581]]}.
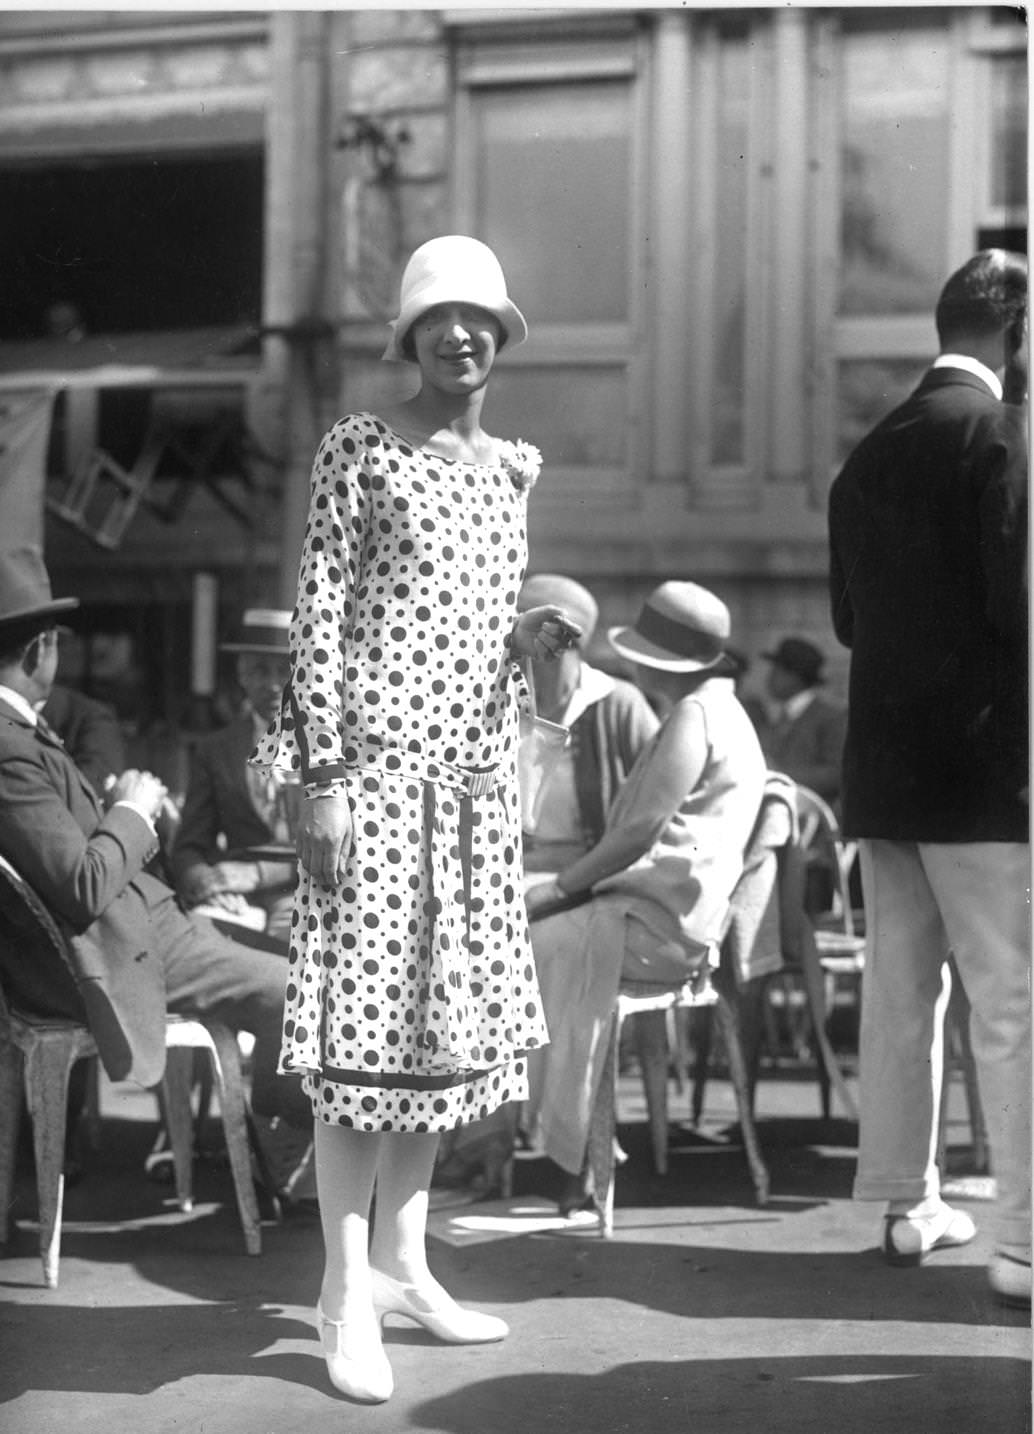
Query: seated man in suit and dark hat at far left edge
{"points": [[136, 954]]}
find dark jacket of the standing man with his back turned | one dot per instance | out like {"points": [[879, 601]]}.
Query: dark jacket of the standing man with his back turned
{"points": [[929, 543]]}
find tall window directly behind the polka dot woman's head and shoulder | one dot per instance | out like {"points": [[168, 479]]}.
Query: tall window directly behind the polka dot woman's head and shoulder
{"points": [[549, 167]]}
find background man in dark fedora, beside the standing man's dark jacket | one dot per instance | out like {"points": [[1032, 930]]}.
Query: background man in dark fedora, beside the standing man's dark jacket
{"points": [[805, 739]]}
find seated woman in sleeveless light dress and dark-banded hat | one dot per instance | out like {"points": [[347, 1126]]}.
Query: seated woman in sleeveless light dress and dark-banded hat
{"points": [[653, 893]]}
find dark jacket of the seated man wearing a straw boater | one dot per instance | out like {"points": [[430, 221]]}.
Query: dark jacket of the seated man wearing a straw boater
{"points": [[219, 804]]}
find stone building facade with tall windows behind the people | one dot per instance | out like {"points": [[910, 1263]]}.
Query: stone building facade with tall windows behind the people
{"points": [[726, 227]]}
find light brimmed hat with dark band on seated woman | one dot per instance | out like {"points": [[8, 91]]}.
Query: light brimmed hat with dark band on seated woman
{"points": [[682, 629]]}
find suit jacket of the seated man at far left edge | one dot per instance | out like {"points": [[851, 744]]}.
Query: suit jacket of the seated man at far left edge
{"points": [[88, 868]]}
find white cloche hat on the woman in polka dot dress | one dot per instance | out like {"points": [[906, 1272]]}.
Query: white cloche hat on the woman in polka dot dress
{"points": [[454, 269]]}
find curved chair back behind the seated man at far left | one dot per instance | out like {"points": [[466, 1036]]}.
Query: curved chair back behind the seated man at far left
{"points": [[29, 943]]}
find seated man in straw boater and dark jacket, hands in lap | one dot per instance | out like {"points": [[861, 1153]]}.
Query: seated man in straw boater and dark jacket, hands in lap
{"points": [[230, 807]]}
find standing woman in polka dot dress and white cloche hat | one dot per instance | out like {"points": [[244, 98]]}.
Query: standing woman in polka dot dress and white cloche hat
{"points": [[412, 996]]}
